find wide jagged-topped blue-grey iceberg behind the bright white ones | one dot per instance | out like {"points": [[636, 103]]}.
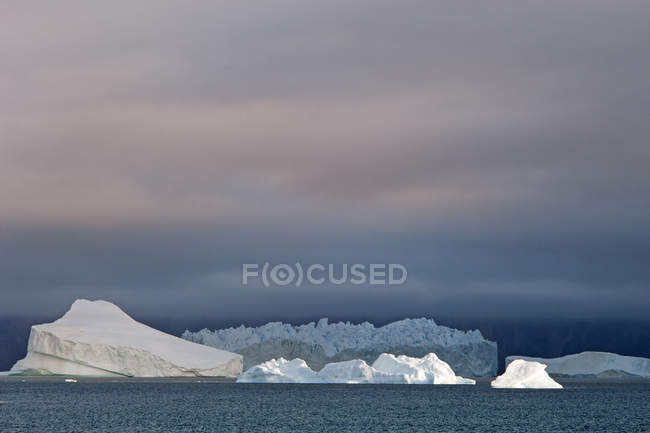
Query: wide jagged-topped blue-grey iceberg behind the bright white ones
{"points": [[468, 353]]}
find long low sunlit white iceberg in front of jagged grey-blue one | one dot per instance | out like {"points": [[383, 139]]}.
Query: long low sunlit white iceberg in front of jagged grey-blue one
{"points": [[386, 369]]}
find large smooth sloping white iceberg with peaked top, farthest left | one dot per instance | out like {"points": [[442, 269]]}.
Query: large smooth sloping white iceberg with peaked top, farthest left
{"points": [[96, 338]]}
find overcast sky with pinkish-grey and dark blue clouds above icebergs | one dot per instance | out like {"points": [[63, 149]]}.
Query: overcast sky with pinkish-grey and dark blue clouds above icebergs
{"points": [[498, 150]]}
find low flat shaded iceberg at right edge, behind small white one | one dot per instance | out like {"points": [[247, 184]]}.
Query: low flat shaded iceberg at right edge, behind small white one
{"points": [[601, 364]]}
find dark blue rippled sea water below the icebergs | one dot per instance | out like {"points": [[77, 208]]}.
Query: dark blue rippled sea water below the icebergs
{"points": [[183, 406]]}
